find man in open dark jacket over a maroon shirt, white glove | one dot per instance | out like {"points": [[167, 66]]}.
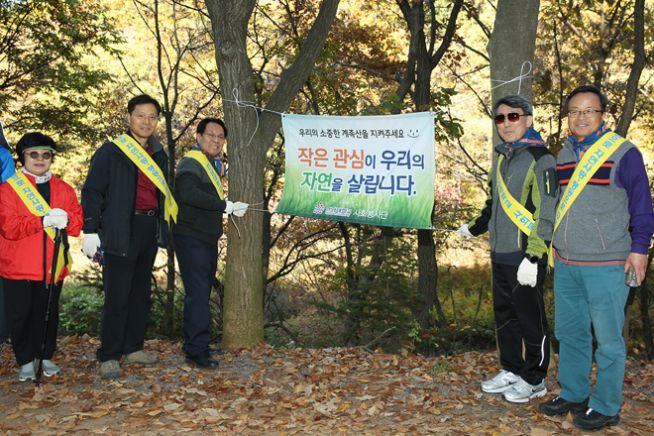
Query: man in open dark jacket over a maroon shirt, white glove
{"points": [[124, 221]]}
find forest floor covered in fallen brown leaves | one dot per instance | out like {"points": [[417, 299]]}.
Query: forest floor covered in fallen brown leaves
{"points": [[288, 391]]}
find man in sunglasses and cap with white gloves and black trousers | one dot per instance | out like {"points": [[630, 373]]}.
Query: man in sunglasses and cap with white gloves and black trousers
{"points": [[519, 215]]}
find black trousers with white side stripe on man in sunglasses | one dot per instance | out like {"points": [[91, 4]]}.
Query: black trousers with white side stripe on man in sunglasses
{"points": [[520, 319]]}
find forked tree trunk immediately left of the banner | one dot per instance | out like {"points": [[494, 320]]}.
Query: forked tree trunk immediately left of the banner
{"points": [[244, 284]]}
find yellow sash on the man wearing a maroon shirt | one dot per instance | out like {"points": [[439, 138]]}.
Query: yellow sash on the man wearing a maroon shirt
{"points": [[149, 167]]}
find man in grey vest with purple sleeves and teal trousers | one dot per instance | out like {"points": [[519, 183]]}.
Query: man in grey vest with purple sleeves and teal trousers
{"points": [[603, 228]]}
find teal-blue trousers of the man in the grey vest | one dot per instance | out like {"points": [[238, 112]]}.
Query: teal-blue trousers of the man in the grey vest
{"points": [[584, 296]]}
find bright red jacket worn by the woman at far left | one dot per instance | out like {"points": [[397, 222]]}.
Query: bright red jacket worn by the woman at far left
{"points": [[21, 233]]}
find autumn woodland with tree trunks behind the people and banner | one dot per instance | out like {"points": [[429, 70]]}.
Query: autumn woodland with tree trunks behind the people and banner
{"points": [[68, 68]]}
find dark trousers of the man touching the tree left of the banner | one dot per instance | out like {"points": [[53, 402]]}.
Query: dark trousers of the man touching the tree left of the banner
{"points": [[197, 264]]}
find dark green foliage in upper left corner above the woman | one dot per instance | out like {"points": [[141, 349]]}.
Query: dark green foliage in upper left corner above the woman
{"points": [[45, 81]]}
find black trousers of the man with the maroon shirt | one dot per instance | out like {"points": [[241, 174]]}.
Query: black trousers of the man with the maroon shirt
{"points": [[127, 288]]}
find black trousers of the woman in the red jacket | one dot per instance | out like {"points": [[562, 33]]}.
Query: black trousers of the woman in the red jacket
{"points": [[26, 303]]}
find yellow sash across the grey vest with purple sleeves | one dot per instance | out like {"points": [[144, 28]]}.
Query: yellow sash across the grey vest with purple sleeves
{"points": [[592, 160]]}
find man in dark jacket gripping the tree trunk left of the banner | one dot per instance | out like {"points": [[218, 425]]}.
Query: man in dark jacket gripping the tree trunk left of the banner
{"points": [[198, 188]]}
